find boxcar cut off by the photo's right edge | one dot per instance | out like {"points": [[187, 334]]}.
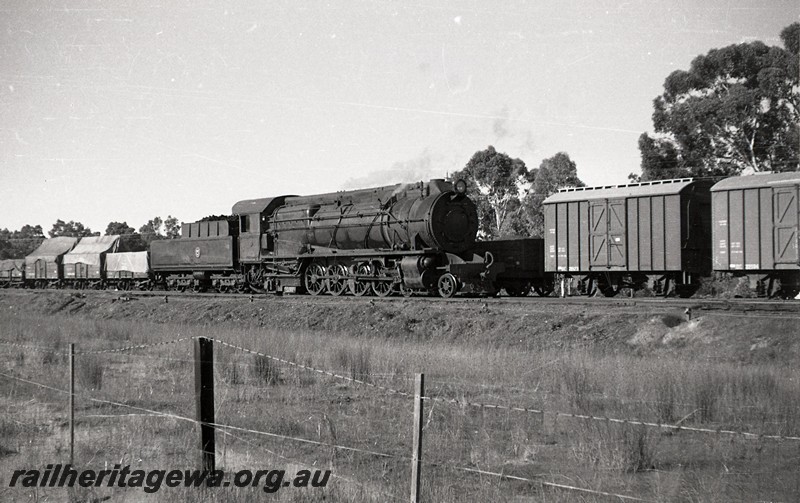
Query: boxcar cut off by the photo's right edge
{"points": [[755, 230]]}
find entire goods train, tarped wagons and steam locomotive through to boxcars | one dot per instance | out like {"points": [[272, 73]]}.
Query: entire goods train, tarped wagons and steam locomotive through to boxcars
{"points": [[662, 236]]}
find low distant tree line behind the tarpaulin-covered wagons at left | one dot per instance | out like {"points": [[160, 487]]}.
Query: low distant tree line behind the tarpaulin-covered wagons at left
{"points": [[22, 242]]}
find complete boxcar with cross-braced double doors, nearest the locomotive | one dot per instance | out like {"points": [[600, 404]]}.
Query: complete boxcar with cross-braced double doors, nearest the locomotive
{"points": [[652, 234]]}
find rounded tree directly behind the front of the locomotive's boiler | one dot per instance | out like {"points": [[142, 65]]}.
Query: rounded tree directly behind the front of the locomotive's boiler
{"points": [[496, 182]]}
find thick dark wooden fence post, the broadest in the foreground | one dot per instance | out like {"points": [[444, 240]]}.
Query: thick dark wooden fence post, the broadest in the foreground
{"points": [[204, 398]]}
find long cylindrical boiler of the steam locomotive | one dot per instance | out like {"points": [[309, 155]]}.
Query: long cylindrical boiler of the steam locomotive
{"points": [[402, 217]]}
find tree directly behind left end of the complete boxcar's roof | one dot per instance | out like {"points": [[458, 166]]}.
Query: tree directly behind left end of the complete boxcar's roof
{"points": [[554, 173]]}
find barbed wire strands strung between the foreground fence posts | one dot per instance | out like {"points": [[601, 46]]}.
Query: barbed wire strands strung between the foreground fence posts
{"points": [[232, 430]]}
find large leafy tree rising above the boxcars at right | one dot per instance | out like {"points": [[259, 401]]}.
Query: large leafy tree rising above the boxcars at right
{"points": [[735, 110]]}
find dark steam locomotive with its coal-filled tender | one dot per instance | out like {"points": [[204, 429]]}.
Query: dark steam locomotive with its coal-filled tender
{"points": [[407, 237]]}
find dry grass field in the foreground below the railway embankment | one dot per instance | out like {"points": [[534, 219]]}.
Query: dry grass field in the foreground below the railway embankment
{"points": [[268, 396]]}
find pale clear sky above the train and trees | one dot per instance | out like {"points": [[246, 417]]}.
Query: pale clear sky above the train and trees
{"points": [[126, 110]]}
